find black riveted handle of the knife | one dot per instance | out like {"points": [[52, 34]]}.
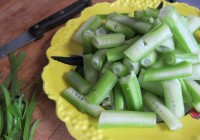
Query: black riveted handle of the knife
{"points": [[58, 18]]}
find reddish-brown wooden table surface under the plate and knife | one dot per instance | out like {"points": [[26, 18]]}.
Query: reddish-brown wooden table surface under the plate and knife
{"points": [[15, 18]]}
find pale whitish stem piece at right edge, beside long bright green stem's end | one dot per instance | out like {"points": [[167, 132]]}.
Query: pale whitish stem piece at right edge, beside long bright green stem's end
{"points": [[195, 73]]}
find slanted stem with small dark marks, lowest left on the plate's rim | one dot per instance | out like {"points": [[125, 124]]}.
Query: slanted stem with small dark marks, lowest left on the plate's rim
{"points": [[79, 101]]}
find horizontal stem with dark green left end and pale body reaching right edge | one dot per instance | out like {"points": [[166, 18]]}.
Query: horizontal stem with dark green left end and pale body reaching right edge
{"points": [[175, 58]]}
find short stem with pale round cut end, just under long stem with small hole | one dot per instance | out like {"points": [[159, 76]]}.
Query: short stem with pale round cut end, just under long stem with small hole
{"points": [[149, 60]]}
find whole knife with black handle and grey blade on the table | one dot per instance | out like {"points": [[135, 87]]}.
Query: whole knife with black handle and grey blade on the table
{"points": [[36, 31]]}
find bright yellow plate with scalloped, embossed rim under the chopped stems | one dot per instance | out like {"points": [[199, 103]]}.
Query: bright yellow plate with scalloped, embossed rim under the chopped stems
{"points": [[81, 126]]}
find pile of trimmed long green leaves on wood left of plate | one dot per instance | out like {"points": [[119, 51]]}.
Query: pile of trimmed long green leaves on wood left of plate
{"points": [[17, 113]]}
